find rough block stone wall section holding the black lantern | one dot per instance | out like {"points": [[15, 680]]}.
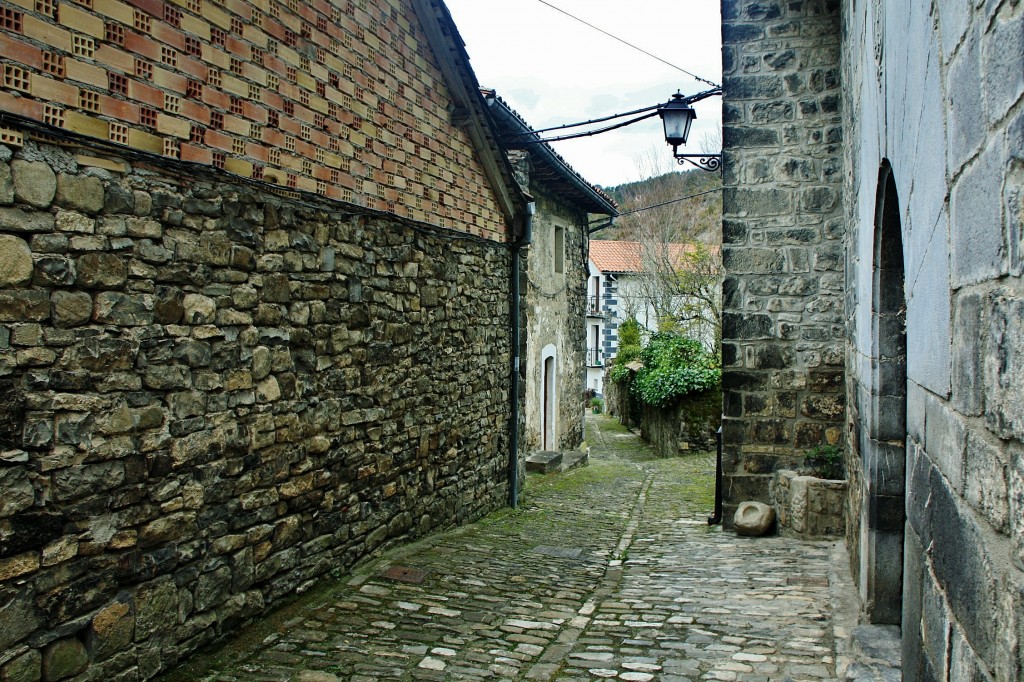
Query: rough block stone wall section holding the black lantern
{"points": [[783, 239]]}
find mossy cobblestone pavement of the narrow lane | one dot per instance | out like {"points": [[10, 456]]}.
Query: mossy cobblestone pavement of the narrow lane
{"points": [[608, 572]]}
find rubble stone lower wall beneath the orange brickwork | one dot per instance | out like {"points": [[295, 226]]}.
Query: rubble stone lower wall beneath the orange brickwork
{"points": [[212, 397]]}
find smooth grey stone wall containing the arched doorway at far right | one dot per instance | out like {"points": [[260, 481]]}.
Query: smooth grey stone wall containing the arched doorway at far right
{"points": [[936, 177]]}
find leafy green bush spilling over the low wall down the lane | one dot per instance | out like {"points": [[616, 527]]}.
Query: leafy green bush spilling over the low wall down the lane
{"points": [[674, 366]]}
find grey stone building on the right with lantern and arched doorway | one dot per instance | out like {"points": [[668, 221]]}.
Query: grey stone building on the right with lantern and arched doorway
{"points": [[873, 223]]}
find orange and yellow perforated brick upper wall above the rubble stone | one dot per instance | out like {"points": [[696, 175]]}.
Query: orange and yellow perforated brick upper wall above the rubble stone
{"points": [[375, 98]]}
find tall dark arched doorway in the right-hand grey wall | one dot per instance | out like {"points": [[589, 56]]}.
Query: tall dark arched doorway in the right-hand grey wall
{"points": [[883, 516]]}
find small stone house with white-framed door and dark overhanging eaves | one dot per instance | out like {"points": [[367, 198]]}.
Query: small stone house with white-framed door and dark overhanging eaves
{"points": [[554, 284]]}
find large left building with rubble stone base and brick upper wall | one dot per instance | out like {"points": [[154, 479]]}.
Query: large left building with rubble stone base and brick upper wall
{"points": [[255, 293]]}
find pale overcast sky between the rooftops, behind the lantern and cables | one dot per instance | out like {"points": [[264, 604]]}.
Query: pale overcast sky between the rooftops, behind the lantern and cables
{"points": [[553, 70]]}
